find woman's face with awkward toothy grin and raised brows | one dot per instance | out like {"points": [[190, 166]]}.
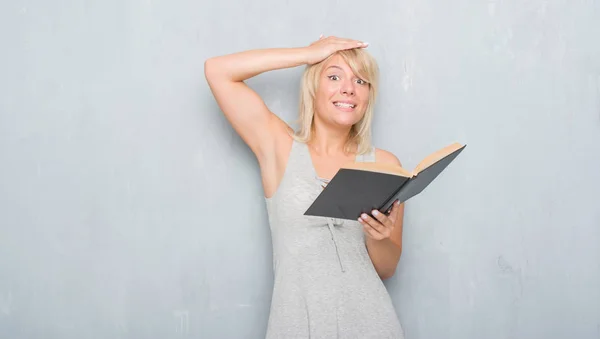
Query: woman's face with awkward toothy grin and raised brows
{"points": [[341, 97]]}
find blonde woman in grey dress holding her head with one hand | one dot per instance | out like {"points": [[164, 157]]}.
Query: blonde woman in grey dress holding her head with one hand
{"points": [[328, 272]]}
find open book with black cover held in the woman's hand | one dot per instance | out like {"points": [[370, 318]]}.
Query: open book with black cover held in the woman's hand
{"points": [[361, 187]]}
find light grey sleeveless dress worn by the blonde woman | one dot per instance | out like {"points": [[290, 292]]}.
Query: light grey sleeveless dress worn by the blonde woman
{"points": [[325, 285]]}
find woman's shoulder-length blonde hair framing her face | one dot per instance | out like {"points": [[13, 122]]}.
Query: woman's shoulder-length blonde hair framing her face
{"points": [[365, 67]]}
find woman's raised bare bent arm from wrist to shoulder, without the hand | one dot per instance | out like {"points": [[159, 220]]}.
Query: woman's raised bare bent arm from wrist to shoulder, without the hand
{"points": [[242, 106]]}
